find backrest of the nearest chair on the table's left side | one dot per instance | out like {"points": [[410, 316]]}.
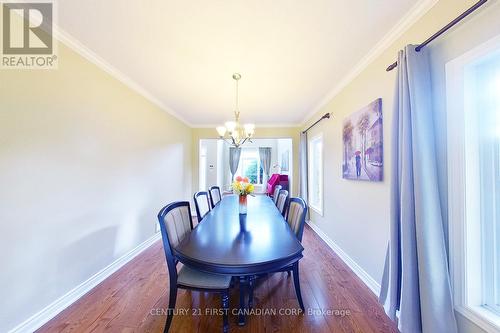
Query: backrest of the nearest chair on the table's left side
{"points": [[175, 223]]}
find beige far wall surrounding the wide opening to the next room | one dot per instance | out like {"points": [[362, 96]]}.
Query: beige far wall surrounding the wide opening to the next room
{"points": [[260, 133]]}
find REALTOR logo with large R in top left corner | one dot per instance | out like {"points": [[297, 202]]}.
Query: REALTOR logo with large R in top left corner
{"points": [[27, 39]]}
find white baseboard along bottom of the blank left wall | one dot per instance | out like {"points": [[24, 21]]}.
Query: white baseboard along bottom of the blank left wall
{"points": [[42, 317]]}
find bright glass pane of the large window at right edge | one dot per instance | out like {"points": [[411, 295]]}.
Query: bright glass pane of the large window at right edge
{"points": [[487, 99]]}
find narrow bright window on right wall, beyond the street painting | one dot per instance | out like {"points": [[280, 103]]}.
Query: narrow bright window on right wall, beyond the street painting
{"points": [[316, 173]]}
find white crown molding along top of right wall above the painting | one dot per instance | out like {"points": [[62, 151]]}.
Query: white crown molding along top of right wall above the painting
{"points": [[410, 18]]}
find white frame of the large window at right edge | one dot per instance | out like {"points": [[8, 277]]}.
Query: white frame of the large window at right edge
{"points": [[464, 235]]}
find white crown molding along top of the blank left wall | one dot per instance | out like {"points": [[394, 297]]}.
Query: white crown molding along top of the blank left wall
{"points": [[91, 56]]}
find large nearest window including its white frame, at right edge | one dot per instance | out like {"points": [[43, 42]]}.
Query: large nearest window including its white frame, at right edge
{"points": [[474, 183]]}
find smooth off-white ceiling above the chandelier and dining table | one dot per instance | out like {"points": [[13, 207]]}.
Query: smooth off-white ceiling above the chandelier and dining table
{"points": [[290, 53]]}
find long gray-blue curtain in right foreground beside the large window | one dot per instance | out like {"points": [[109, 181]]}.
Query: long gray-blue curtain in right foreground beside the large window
{"points": [[416, 279]]}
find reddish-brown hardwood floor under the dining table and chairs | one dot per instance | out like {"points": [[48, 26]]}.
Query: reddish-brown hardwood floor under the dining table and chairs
{"points": [[132, 299]]}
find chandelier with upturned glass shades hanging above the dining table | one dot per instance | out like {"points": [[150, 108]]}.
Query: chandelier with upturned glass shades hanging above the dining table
{"points": [[237, 134]]}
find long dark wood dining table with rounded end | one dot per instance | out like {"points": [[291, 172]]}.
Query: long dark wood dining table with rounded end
{"points": [[244, 246]]}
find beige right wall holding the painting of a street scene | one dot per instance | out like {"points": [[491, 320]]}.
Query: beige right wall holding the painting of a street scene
{"points": [[356, 213]]}
